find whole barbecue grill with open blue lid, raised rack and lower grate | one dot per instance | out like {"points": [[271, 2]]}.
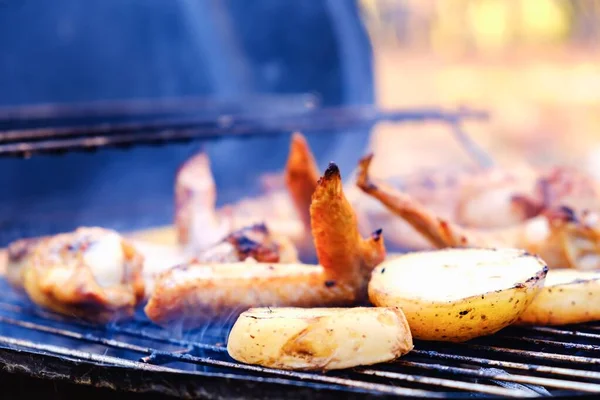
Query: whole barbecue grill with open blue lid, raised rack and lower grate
{"points": [[62, 357]]}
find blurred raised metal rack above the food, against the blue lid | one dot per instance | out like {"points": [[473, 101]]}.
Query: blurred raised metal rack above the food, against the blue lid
{"points": [[55, 130]]}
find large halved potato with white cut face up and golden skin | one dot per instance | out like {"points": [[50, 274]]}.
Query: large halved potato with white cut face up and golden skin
{"points": [[458, 294]]}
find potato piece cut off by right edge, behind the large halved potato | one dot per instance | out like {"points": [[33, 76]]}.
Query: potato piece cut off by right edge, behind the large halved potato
{"points": [[568, 297]]}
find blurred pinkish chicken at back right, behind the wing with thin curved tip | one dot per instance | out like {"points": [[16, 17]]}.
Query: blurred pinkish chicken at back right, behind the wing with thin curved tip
{"points": [[486, 199]]}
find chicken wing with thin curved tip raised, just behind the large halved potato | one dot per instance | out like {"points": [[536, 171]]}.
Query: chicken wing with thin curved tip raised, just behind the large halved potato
{"points": [[559, 235]]}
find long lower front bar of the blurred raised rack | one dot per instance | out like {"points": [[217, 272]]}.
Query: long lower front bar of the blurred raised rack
{"points": [[321, 121]]}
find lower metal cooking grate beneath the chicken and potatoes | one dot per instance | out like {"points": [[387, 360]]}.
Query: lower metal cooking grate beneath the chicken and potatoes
{"points": [[517, 362]]}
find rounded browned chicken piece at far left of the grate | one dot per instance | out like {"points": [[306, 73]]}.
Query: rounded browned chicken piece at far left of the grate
{"points": [[91, 273]]}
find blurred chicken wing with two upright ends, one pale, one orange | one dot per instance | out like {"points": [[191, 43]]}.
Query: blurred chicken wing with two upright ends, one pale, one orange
{"points": [[199, 224]]}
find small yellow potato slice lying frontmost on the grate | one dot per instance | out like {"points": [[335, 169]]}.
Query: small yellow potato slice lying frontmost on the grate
{"points": [[319, 338]]}
